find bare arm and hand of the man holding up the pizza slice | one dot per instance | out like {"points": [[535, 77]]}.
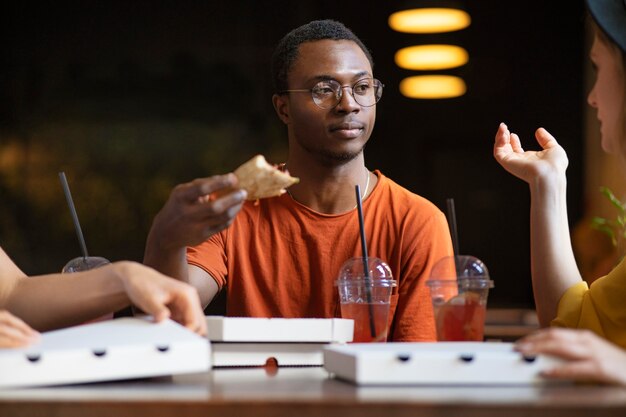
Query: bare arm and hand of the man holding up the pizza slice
{"points": [[189, 217]]}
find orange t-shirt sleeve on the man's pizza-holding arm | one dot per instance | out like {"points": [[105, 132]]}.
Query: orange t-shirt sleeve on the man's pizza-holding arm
{"points": [[210, 256]]}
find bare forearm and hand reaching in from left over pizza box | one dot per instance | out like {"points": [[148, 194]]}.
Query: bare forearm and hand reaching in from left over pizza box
{"points": [[57, 300]]}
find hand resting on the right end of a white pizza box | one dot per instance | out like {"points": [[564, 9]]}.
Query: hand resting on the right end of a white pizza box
{"points": [[588, 357]]}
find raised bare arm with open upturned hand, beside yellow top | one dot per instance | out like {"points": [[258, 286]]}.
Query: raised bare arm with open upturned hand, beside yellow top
{"points": [[553, 265]]}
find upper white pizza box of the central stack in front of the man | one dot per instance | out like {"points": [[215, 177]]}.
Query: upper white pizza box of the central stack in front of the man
{"points": [[279, 330]]}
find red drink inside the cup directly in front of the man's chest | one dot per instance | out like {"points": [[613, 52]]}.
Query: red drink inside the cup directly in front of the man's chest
{"points": [[360, 313]]}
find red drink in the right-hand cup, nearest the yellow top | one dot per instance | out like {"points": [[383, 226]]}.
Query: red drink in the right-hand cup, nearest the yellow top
{"points": [[462, 318]]}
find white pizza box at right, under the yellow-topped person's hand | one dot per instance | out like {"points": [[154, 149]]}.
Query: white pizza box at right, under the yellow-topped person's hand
{"points": [[449, 363]]}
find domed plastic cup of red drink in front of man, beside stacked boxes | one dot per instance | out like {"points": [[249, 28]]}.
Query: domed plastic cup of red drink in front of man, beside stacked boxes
{"points": [[366, 299]]}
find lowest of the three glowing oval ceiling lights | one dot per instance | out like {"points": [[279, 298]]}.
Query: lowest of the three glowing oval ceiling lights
{"points": [[432, 86]]}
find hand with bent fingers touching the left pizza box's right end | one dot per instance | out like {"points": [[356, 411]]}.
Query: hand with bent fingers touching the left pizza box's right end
{"points": [[161, 296]]}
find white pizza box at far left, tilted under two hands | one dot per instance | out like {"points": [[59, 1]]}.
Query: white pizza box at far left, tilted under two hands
{"points": [[111, 350]]}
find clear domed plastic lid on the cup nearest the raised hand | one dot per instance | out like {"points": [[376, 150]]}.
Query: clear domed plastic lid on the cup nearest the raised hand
{"points": [[467, 270]]}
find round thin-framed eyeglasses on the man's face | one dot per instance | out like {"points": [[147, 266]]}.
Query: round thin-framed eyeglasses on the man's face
{"points": [[328, 93]]}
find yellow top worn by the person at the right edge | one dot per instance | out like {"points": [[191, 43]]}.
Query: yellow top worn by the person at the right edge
{"points": [[600, 308]]}
